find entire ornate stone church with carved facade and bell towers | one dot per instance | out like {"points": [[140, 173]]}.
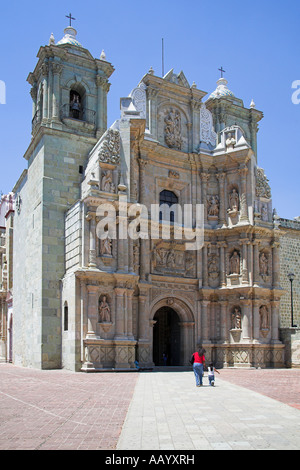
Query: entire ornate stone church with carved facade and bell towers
{"points": [[103, 275]]}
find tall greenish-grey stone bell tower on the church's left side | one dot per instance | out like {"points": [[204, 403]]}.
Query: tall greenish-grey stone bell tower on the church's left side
{"points": [[69, 91]]}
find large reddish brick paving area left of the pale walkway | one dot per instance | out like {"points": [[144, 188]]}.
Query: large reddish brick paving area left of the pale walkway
{"points": [[54, 410]]}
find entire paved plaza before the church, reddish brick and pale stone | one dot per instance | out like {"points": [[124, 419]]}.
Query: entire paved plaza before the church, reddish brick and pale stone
{"points": [[161, 410]]}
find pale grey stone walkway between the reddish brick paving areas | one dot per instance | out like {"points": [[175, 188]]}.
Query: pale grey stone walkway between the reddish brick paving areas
{"points": [[168, 412]]}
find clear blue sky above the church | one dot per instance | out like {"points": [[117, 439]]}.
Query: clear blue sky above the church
{"points": [[257, 43]]}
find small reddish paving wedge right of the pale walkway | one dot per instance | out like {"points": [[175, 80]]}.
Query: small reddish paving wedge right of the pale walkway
{"points": [[280, 384]]}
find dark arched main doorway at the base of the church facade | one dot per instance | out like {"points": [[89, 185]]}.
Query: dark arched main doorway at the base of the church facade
{"points": [[166, 338]]}
